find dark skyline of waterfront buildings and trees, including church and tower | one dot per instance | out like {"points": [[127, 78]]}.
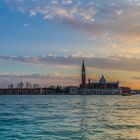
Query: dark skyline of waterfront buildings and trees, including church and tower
{"points": [[101, 87]]}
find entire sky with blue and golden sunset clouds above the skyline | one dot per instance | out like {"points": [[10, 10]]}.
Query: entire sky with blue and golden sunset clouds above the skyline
{"points": [[45, 41]]}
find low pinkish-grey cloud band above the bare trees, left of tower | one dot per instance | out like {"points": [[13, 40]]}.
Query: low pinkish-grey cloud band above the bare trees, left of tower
{"points": [[42, 80]]}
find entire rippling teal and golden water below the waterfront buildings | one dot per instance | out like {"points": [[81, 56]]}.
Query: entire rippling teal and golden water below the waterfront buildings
{"points": [[70, 117]]}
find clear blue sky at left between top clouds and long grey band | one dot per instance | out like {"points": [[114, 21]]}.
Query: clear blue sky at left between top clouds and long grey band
{"points": [[22, 34]]}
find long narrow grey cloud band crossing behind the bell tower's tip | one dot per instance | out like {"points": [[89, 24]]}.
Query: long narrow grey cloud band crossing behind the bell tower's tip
{"points": [[112, 62]]}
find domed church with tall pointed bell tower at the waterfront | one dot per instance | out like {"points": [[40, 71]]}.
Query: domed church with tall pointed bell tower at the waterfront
{"points": [[101, 87]]}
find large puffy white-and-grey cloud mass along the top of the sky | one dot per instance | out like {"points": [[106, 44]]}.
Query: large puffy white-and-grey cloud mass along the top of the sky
{"points": [[118, 18]]}
